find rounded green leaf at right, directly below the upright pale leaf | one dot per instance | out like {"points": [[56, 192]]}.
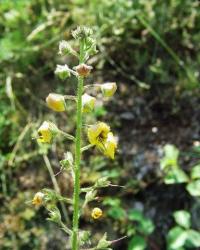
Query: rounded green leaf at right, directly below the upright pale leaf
{"points": [[176, 176]]}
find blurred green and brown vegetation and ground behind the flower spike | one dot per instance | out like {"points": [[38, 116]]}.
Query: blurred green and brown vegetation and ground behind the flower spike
{"points": [[151, 49]]}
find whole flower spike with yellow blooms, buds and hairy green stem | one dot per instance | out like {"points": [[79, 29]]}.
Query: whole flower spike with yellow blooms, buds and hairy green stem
{"points": [[98, 134]]}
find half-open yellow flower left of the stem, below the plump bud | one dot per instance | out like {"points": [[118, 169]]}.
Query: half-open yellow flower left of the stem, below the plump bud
{"points": [[46, 132]]}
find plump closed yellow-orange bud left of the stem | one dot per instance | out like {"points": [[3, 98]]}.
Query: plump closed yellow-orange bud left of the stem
{"points": [[56, 102]]}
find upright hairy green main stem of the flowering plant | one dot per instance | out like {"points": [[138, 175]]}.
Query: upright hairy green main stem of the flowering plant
{"points": [[75, 244]]}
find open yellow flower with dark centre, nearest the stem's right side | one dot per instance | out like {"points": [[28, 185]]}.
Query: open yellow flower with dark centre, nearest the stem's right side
{"points": [[97, 134]]}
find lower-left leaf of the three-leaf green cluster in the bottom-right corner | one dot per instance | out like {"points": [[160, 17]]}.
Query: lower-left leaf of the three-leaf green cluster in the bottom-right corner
{"points": [[176, 238]]}
